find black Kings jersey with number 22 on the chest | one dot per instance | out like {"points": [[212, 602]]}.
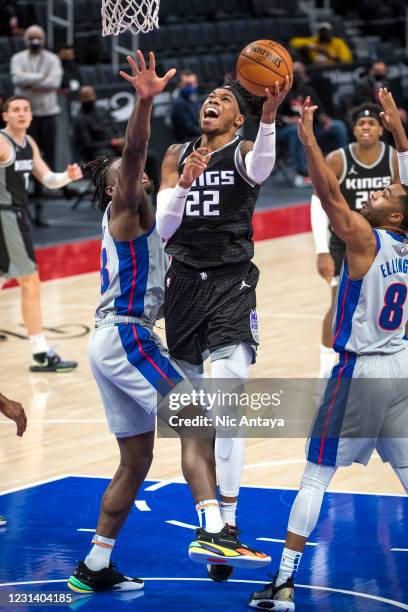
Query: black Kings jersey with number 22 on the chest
{"points": [[216, 228]]}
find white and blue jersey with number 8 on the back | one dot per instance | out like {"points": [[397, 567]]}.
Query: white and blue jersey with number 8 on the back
{"points": [[370, 314]]}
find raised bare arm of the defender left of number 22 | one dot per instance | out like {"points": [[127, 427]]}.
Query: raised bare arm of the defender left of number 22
{"points": [[147, 85]]}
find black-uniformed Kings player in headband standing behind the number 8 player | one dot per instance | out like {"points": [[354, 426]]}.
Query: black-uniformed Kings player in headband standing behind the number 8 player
{"points": [[363, 167]]}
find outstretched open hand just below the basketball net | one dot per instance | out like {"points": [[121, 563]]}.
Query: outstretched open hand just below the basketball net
{"points": [[145, 80]]}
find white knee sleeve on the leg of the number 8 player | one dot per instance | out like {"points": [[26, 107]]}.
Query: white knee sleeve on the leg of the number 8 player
{"points": [[306, 507]]}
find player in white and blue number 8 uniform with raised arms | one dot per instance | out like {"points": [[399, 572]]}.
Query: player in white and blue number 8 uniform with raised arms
{"points": [[355, 416]]}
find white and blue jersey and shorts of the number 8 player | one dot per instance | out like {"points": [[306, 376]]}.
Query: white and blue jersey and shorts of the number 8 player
{"points": [[365, 405]]}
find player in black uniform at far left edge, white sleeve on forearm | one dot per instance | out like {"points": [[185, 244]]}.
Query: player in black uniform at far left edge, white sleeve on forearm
{"points": [[20, 157]]}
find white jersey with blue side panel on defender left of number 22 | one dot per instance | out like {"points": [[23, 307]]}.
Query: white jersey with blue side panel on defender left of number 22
{"points": [[132, 275]]}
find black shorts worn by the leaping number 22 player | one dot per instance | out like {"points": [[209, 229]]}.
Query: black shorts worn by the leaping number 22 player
{"points": [[210, 310]]}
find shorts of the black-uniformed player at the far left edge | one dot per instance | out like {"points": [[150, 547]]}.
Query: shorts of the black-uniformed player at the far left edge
{"points": [[17, 258]]}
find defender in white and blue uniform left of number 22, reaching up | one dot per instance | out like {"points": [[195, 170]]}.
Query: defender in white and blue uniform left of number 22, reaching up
{"points": [[128, 360]]}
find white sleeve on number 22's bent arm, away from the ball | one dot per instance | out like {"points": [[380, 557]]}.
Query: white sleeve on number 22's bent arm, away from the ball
{"points": [[170, 209]]}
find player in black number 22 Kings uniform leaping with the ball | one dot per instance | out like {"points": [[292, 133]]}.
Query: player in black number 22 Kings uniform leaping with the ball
{"points": [[205, 206]]}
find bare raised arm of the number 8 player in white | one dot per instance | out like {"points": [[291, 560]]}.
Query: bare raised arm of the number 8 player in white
{"points": [[349, 225]]}
